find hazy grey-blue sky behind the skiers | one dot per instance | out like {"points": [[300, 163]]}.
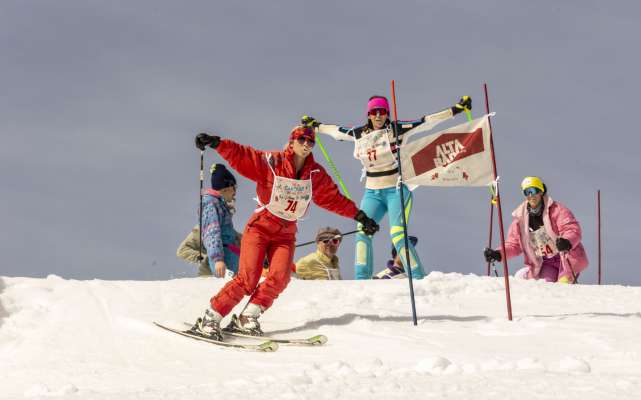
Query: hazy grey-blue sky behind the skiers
{"points": [[101, 101]]}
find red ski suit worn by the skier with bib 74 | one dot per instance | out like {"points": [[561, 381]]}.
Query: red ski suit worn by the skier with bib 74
{"points": [[266, 233]]}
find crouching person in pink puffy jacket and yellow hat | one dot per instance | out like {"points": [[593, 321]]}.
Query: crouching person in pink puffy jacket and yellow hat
{"points": [[548, 235]]}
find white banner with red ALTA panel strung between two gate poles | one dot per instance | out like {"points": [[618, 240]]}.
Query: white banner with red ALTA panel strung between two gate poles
{"points": [[458, 156]]}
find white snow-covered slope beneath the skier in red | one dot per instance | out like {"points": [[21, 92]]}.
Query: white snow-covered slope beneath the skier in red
{"points": [[94, 339]]}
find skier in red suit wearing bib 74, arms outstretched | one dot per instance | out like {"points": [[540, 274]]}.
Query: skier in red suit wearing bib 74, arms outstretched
{"points": [[286, 182]]}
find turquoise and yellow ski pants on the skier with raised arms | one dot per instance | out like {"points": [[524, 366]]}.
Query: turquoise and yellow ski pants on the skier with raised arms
{"points": [[375, 203]]}
